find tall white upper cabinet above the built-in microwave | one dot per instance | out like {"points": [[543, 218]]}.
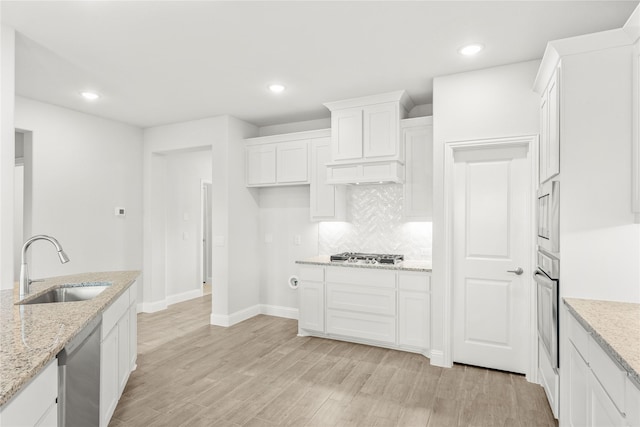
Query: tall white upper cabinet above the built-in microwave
{"points": [[549, 164]]}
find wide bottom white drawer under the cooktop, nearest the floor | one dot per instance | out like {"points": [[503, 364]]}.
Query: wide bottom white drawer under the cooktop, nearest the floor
{"points": [[362, 325]]}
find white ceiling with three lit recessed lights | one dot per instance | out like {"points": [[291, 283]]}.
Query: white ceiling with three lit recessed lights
{"points": [[158, 62]]}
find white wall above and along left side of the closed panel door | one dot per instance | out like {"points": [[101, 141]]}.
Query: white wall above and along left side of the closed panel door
{"points": [[491, 103]]}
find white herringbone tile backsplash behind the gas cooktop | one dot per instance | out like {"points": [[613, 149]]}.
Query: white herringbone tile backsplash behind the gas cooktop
{"points": [[376, 225]]}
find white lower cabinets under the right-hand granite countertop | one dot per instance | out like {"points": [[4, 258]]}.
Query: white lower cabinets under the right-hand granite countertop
{"points": [[600, 392]]}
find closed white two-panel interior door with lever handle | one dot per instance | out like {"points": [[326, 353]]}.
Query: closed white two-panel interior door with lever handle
{"points": [[491, 224]]}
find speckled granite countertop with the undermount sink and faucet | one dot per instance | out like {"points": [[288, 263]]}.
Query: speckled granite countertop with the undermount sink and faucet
{"points": [[32, 335]]}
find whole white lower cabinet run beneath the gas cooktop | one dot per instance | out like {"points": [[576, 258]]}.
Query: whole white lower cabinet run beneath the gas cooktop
{"points": [[388, 308]]}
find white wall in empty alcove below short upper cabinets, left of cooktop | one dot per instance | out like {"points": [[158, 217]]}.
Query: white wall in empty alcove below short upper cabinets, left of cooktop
{"points": [[284, 214]]}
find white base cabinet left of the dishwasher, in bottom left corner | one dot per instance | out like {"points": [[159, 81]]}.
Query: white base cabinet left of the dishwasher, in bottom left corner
{"points": [[36, 403]]}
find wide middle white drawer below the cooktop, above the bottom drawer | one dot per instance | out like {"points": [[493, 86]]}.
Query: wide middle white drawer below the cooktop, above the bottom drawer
{"points": [[362, 299]]}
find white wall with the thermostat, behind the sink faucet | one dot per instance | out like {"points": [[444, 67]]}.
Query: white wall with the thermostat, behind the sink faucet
{"points": [[83, 167]]}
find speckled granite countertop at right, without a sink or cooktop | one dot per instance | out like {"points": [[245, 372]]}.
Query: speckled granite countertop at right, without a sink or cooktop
{"points": [[615, 326]]}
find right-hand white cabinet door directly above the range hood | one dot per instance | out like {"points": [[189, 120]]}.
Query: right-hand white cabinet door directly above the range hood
{"points": [[380, 137]]}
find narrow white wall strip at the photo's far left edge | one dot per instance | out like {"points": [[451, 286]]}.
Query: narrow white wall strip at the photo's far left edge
{"points": [[7, 147]]}
